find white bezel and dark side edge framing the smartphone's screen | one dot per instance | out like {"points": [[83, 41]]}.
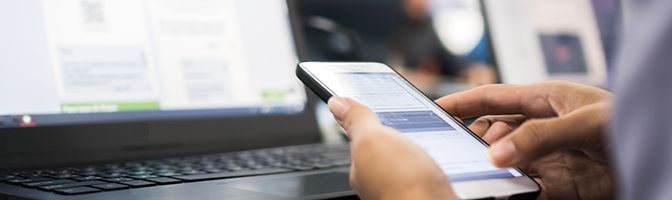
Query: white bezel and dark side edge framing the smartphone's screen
{"points": [[522, 187]]}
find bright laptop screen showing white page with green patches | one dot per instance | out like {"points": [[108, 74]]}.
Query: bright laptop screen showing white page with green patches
{"points": [[100, 61]]}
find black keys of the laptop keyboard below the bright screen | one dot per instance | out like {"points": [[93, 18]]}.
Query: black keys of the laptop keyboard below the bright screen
{"points": [[127, 175]]}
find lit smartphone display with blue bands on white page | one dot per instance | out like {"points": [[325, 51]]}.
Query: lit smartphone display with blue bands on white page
{"points": [[402, 107]]}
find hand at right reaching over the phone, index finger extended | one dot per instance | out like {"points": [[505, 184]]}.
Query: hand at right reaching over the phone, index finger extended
{"points": [[555, 129]]}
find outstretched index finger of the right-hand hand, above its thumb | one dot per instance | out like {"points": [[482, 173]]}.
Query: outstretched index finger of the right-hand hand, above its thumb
{"points": [[495, 100]]}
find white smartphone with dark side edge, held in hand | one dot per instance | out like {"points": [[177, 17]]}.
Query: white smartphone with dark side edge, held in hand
{"points": [[460, 153]]}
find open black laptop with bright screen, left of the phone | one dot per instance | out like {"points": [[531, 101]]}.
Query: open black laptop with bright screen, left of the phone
{"points": [[158, 99]]}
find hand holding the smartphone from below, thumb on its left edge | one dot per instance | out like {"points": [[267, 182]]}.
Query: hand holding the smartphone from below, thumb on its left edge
{"points": [[385, 164]]}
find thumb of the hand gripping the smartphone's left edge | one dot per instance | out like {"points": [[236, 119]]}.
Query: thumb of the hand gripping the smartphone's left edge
{"points": [[353, 116]]}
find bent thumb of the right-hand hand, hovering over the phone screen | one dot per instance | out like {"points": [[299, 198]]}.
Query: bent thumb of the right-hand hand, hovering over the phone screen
{"points": [[581, 129]]}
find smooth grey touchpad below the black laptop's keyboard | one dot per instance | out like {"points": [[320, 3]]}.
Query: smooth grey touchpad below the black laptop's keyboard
{"points": [[299, 186]]}
